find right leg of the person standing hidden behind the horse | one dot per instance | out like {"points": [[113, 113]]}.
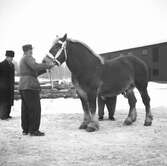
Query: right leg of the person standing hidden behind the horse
{"points": [[111, 104]]}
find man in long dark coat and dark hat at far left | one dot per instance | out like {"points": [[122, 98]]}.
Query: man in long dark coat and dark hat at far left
{"points": [[7, 73]]}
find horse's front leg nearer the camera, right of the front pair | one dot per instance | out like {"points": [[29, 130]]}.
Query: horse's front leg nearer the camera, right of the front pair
{"points": [[93, 125]]}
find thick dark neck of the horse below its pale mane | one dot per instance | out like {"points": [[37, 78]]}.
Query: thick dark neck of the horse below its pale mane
{"points": [[81, 61]]}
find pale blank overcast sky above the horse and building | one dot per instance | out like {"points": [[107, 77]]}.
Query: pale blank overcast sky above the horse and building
{"points": [[105, 25]]}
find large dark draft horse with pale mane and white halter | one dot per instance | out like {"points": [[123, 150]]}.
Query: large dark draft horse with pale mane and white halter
{"points": [[93, 77]]}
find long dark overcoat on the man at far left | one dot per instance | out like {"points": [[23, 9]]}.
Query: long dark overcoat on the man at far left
{"points": [[7, 72]]}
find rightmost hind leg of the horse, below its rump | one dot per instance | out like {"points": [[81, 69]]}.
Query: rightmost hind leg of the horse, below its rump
{"points": [[146, 101]]}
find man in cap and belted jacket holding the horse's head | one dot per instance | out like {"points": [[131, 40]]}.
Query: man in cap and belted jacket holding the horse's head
{"points": [[30, 92]]}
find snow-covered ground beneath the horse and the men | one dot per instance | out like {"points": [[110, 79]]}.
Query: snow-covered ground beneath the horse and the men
{"points": [[66, 145]]}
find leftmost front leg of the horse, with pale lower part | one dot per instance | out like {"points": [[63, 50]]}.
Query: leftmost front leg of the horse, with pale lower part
{"points": [[87, 116]]}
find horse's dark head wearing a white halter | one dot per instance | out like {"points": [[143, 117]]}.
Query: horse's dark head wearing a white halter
{"points": [[58, 50]]}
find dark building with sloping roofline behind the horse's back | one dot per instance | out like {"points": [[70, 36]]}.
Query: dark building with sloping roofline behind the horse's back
{"points": [[154, 55]]}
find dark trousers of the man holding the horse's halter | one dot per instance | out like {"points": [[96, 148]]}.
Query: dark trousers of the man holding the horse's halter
{"points": [[30, 110]]}
